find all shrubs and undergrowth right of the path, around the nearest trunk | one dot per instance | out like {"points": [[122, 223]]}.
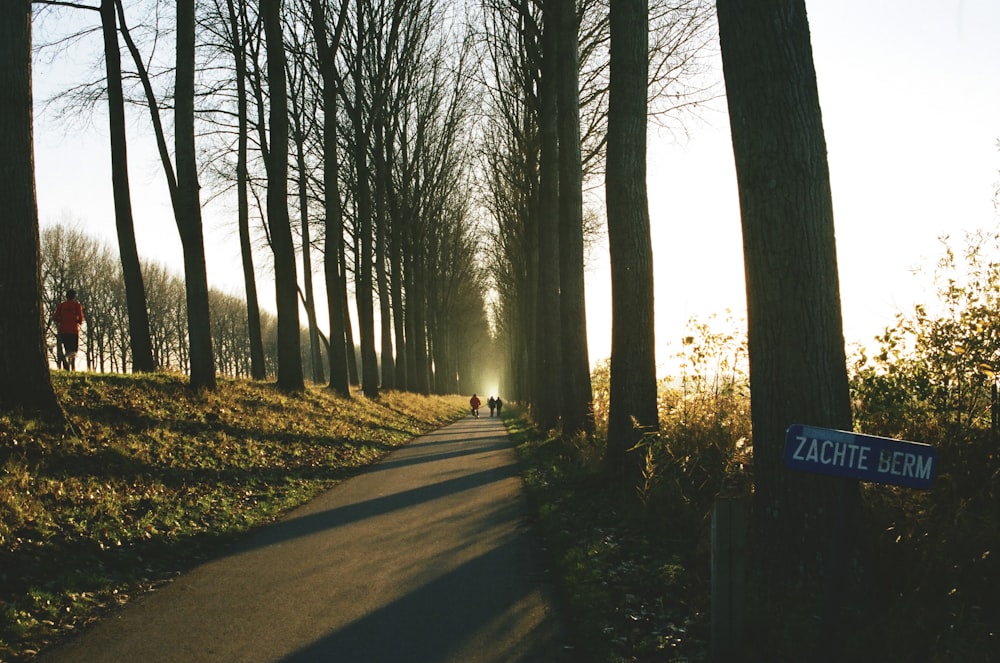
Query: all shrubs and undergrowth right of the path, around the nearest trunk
{"points": [[635, 564]]}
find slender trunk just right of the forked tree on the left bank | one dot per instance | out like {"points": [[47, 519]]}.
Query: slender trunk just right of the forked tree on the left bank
{"points": [[258, 370]]}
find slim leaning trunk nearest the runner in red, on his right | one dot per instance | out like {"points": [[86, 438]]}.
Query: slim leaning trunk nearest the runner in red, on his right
{"points": [[140, 342]]}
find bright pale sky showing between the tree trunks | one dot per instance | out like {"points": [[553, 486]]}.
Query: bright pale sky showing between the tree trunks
{"points": [[910, 97]]}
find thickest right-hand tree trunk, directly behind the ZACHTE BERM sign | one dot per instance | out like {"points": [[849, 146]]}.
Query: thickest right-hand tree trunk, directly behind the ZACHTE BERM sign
{"points": [[807, 525]]}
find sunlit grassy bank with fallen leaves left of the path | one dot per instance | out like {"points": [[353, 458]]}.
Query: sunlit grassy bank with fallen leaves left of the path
{"points": [[155, 478]]}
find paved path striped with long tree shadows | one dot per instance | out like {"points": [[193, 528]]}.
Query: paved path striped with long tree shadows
{"points": [[424, 558]]}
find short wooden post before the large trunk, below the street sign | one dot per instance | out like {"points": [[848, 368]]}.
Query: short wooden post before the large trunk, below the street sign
{"points": [[730, 520]]}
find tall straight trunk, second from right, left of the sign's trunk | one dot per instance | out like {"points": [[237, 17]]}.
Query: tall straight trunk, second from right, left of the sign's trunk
{"points": [[632, 410]]}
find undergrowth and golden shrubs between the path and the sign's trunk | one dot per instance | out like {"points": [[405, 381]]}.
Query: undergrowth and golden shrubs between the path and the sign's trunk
{"points": [[634, 564]]}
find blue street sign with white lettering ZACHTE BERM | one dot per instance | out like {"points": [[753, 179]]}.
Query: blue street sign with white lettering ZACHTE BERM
{"points": [[865, 457]]}
